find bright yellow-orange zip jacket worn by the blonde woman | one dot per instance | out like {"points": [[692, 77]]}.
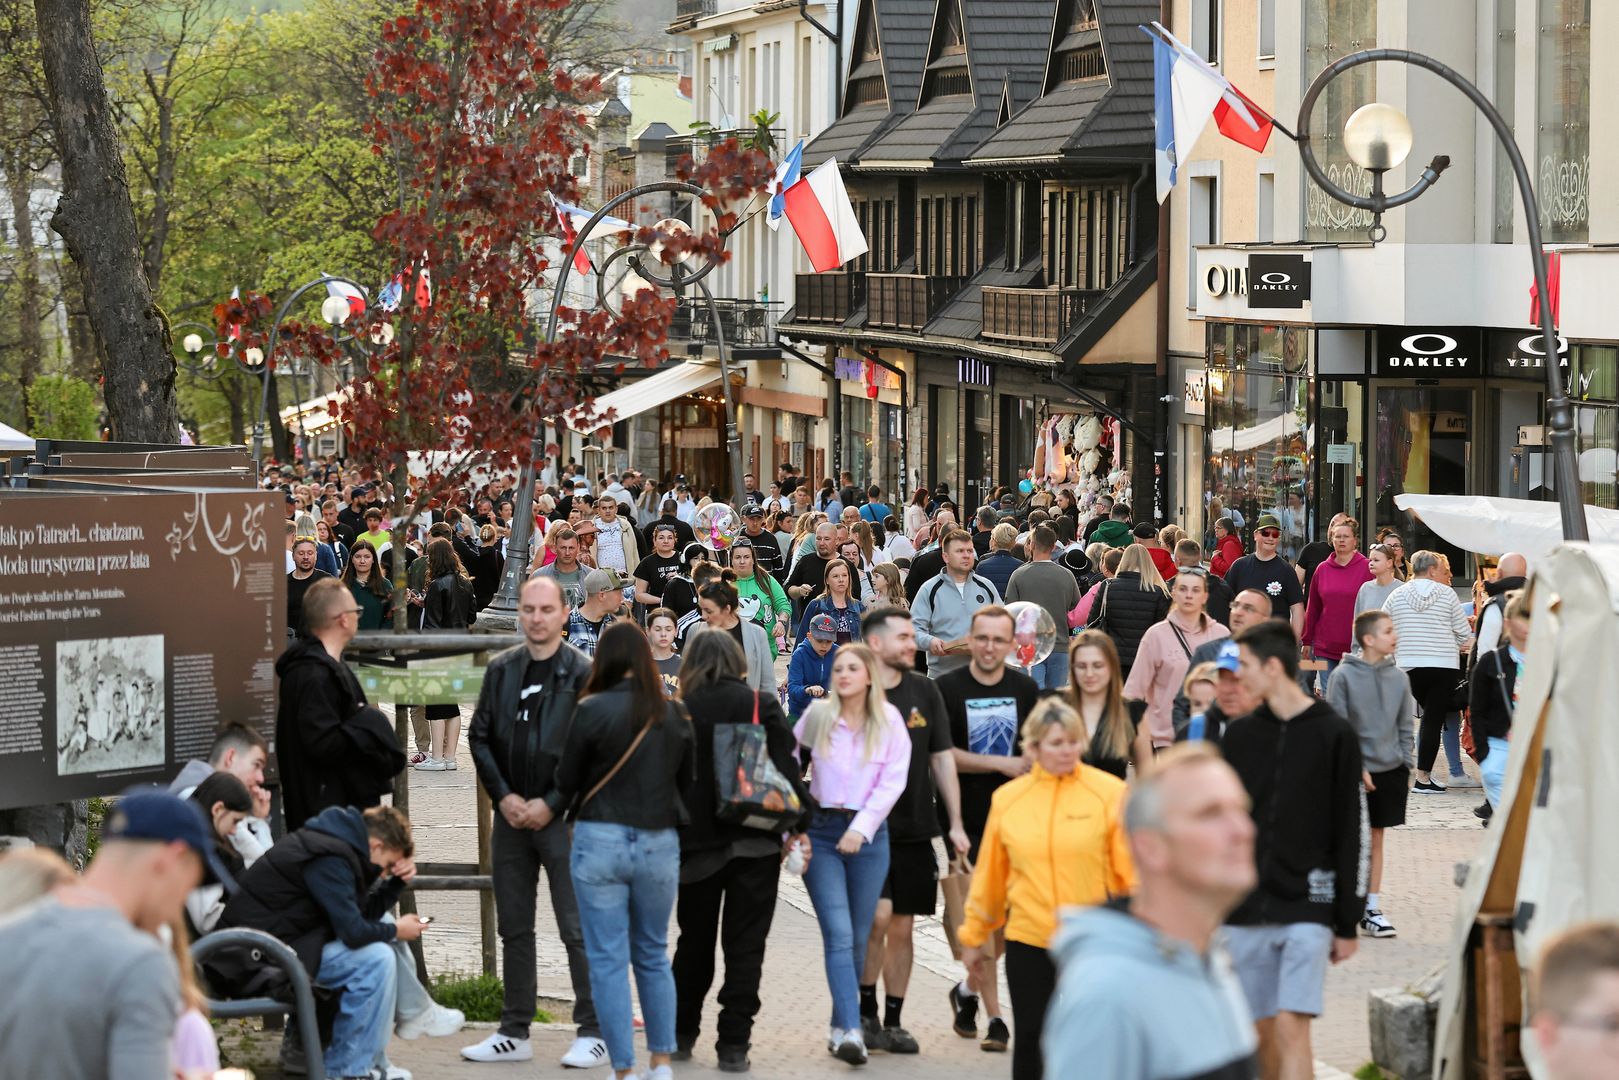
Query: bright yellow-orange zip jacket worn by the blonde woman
{"points": [[1052, 843]]}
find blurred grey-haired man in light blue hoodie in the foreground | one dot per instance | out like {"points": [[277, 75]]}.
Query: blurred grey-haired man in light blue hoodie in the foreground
{"points": [[1126, 967]]}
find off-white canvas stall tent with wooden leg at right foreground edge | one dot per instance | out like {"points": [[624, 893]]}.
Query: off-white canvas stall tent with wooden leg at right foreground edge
{"points": [[1547, 861]]}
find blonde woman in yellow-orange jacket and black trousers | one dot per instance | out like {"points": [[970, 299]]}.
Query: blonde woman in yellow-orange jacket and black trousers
{"points": [[1029, 869]]}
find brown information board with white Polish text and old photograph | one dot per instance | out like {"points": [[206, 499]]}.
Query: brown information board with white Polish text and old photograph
{"points": [[130, 627]]}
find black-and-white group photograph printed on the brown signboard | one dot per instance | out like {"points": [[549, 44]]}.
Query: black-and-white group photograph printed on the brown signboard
{"points": [[111, 705]]}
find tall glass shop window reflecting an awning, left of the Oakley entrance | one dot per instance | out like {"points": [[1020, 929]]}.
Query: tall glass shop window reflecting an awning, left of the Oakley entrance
{"points": [[1259, 449]]}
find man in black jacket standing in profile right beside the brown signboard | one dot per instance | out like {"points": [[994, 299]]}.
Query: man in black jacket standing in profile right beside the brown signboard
{"points": [[334, 749]]}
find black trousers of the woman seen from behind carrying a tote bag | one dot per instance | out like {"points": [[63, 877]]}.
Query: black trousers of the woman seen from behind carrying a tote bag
{"points": [[747, 890]]}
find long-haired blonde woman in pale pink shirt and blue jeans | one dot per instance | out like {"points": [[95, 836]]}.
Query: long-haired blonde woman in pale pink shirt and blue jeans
{"points": [[860, 755]]}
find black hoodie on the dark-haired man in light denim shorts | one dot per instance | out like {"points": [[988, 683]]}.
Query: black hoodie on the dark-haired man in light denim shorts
{"points": [[1312, 844]]}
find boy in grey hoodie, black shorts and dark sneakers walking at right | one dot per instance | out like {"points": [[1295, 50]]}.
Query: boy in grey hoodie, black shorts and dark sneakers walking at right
{"points": [[1374, 695]]}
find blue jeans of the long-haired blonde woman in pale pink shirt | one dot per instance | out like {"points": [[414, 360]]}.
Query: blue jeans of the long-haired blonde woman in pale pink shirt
{"points": [[844, 891]]}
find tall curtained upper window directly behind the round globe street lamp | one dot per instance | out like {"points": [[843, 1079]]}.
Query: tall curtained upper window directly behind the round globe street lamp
{"points": [[1333, 30]]}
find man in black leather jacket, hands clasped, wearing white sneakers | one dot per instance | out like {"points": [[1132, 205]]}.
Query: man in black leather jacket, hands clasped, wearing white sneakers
{"points": [[517, 738]]}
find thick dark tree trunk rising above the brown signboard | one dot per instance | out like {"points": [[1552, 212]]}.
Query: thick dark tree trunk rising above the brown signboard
{"points": [[96, 221]]}
